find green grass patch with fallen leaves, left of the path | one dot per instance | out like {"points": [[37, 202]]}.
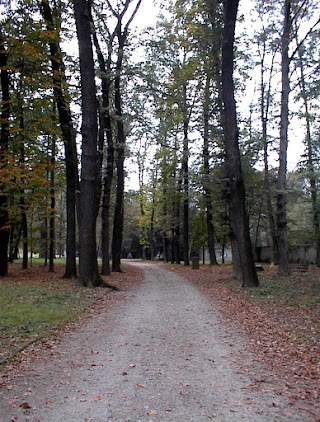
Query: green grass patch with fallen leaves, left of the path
{"points": [[34, 304]]}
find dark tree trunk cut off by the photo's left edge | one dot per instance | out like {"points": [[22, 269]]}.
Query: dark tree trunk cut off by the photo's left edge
{"points": [[4, 142]]}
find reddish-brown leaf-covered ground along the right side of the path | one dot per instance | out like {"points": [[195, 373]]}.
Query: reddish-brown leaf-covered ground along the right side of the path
{"points": [[280, 319]]}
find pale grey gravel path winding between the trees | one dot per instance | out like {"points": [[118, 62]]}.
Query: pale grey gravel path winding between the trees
{"points": [[163, 354]]}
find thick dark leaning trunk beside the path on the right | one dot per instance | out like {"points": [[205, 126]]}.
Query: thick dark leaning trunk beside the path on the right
{"points": [[237, 208]]}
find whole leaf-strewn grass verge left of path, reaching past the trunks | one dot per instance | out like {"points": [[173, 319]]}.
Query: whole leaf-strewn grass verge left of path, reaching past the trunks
{"points": [[36, 305]]}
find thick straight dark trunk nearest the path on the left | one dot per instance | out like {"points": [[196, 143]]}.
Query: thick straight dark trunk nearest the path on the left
{"points": [[88, 268]]}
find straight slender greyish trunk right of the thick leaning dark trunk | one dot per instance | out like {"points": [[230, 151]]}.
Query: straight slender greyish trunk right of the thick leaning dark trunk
{"points": [[284, 123]]}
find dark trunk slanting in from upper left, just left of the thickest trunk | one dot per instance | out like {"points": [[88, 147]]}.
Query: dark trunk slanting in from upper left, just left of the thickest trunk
{"points": [[69, 139]]}
